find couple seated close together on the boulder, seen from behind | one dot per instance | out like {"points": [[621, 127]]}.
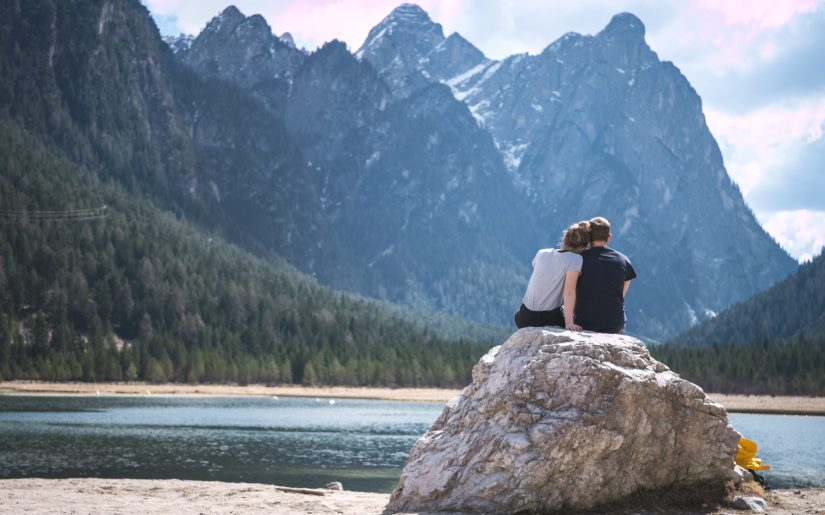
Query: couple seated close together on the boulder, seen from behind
{"points": [[581, 286]]}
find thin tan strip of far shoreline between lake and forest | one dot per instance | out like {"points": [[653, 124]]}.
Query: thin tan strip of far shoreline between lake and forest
{"points": [[756, 404]]}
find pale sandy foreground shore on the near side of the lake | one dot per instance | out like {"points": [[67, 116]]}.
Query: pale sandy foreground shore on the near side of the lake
{"points": [[93, 496]]}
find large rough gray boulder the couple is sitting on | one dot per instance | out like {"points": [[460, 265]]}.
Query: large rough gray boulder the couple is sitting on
{"points": [[556, 419]]}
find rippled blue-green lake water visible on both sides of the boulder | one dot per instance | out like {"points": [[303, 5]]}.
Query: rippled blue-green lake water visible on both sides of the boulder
{"points": [[289, 441]]}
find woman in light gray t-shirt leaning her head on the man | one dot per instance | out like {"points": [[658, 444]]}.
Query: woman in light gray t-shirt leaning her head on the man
{"points": [[553, 282]]}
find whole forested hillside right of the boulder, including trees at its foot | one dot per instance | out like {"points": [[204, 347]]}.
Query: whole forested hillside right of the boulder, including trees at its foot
{"points": [[773, 343]]}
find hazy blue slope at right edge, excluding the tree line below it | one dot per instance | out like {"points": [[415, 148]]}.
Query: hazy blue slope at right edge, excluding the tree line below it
{"points": [[792, 309]]}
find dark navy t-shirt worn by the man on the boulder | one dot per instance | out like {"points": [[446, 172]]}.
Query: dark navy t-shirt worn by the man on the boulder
{"points": [[599, 299]]}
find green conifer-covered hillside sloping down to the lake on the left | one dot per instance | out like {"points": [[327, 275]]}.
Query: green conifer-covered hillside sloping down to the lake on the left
{"points": [[141, 294]]}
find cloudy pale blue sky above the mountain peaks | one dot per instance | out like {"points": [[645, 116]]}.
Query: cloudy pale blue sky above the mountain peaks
{"points": [[757, 64]]}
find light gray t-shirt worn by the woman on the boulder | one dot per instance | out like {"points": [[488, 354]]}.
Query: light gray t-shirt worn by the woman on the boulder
{"points": [[545, 291]]}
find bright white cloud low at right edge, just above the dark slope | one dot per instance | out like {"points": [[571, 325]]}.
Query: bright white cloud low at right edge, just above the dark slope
{"points": [[800, 232]]}
